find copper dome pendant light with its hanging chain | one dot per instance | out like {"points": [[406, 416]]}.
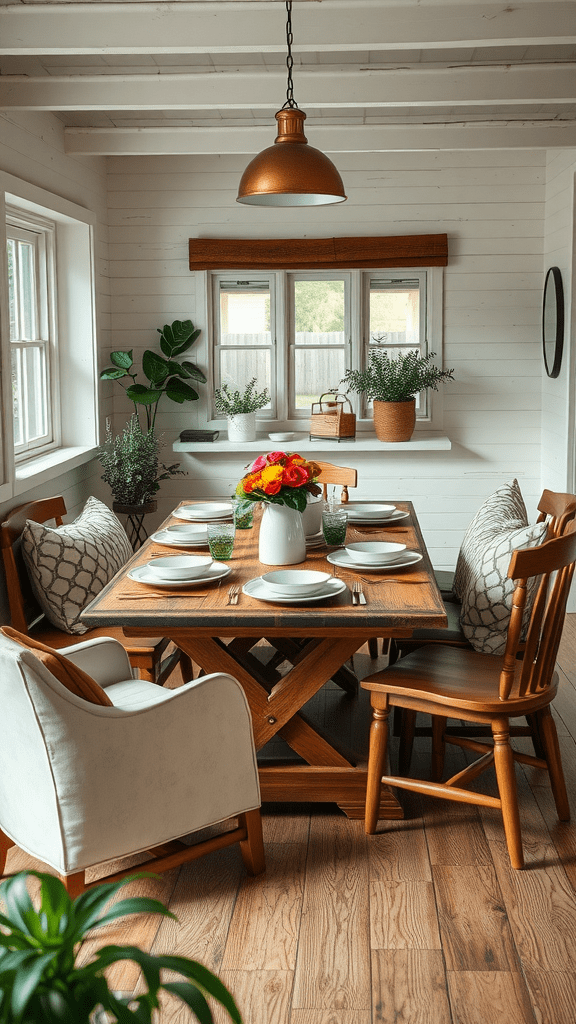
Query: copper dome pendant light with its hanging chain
{"points": [[291, 173]]}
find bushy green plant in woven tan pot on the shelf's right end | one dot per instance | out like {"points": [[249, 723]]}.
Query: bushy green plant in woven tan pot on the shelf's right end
{"points": [[392, 385]]}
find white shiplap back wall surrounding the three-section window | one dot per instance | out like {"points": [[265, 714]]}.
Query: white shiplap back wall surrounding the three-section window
{"points": [[491, 205]]}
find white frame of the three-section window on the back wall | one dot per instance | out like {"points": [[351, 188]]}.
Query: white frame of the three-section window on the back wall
{"points": [[431, 416]]}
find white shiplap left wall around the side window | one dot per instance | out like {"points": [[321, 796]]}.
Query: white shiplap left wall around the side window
{"points": [[32, 149]]}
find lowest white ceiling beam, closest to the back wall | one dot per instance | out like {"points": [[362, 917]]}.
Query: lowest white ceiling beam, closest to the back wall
{"points": [[354, 139]]}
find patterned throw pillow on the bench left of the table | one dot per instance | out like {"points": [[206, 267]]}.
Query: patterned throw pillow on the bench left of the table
{"points": [[69, 566]]}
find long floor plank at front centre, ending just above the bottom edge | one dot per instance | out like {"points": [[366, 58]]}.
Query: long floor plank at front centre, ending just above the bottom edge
{"points": [[334, 967]]}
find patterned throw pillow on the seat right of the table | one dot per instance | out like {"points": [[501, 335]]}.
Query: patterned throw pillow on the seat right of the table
{"points": [[500, 528]]}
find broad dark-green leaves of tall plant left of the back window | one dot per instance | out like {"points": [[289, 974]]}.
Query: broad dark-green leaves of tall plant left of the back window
{"points": [[166, 375]]}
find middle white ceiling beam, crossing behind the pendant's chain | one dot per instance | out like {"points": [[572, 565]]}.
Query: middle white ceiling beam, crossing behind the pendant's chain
{"points": [[238, 91]]}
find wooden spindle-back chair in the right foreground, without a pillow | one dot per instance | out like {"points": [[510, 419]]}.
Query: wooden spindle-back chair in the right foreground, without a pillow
{"points": [[486, 691]]}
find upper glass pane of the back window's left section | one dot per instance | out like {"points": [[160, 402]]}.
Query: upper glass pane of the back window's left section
{"points": [[245, 314]]}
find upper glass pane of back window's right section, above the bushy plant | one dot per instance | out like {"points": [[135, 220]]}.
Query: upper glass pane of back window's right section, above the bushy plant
{"points": [[395, 314]]}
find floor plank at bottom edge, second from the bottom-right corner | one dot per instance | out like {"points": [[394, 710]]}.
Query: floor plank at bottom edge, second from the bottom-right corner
{"points": [[409, 988]]}
